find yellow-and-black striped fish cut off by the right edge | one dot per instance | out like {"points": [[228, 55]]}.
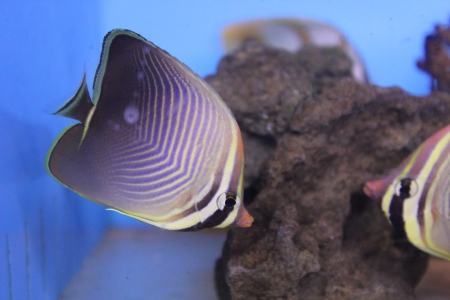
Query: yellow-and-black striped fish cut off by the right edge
{"points": [[416, 195]]}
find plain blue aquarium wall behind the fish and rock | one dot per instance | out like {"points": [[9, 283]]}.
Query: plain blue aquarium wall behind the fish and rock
{"points": [[46, 231]]}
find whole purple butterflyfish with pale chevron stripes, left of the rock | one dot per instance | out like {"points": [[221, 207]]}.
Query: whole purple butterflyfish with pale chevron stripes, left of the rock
{"points": [[155, 143]]}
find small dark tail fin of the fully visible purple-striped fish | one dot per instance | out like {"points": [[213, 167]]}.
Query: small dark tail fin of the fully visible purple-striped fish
{"points": [[79, 105]]}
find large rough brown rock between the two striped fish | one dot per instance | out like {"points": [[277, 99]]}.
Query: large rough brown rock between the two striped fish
{"points": [[312, 137]]}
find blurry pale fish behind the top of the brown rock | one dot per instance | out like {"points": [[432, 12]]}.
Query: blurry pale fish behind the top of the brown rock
{"points": [[292, 35]]}
